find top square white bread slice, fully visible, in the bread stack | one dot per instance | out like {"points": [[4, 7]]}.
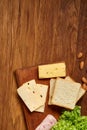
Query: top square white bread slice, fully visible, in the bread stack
{"points": [[65, 93]]}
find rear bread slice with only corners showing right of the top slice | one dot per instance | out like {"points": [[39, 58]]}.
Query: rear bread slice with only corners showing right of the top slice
{"points": [[81, 90]]}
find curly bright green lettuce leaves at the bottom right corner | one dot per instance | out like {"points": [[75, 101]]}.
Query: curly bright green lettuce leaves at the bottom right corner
{"points": [[71, 120]]}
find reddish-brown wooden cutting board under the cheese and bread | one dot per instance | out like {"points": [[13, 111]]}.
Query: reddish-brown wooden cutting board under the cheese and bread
{"points": [[33, 119]]}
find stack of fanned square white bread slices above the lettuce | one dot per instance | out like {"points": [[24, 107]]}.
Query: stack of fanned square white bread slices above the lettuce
{"points": [[65, 92]]}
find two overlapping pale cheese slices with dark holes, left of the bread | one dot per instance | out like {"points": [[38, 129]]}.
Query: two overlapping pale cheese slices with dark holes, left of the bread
{"points": [[33, 95]]}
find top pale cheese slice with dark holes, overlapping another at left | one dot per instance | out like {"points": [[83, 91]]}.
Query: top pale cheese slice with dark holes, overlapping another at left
{"points": [[30, 95]]}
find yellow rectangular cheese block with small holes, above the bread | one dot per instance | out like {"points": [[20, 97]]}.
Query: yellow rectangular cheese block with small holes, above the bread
{"points": [[52, 70]]}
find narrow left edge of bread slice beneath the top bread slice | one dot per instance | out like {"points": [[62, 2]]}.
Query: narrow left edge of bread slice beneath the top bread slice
{"points": [[52, 85]]}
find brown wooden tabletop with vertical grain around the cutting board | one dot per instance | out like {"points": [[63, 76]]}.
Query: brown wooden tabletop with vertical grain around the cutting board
{"points": [[36, 32]]}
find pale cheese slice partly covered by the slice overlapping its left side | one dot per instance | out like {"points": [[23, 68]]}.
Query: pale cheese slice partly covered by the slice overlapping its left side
{"points": [[43, 93]]}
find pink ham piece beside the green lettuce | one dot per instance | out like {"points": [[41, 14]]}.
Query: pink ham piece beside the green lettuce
{"points": [[47, 123]]}
